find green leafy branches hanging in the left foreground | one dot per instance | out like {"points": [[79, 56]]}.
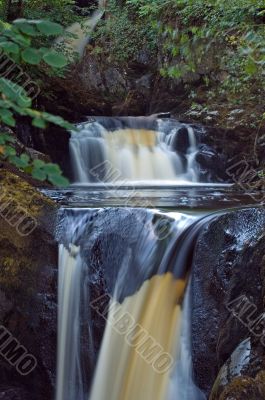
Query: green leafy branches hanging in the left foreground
{"points": [[17, 51]]}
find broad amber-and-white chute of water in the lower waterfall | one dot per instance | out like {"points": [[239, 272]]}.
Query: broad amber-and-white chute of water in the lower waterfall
{"points": [[135, 361]]}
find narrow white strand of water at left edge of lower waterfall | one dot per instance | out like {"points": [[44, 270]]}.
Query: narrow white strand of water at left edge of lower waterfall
{"points": [[69, 385]]}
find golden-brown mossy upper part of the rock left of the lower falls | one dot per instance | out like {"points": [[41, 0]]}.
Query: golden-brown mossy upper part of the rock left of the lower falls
{"points": [[20, 254]]}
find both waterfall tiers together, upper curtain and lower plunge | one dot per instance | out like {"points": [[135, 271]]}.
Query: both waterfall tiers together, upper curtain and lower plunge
{"points": [[124, 326]]}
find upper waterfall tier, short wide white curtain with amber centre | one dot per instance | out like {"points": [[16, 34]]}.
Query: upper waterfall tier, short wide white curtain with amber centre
{"points": [[133, 150]]}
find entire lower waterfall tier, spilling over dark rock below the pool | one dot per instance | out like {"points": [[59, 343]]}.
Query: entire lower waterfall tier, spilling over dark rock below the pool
{"points": [[127, 270]]}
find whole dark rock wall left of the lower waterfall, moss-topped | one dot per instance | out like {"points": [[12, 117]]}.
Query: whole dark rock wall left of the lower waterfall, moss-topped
{"points": [[28, 293]]}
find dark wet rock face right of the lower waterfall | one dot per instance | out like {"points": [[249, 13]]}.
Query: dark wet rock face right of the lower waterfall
{"points": [[229, 262]]}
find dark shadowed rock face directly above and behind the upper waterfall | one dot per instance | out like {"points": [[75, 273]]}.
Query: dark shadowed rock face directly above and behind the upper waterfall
{"points": [[99, 86]]}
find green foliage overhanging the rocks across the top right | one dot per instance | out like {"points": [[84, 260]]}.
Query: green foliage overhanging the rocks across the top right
{"points": [[188, 33]]}
